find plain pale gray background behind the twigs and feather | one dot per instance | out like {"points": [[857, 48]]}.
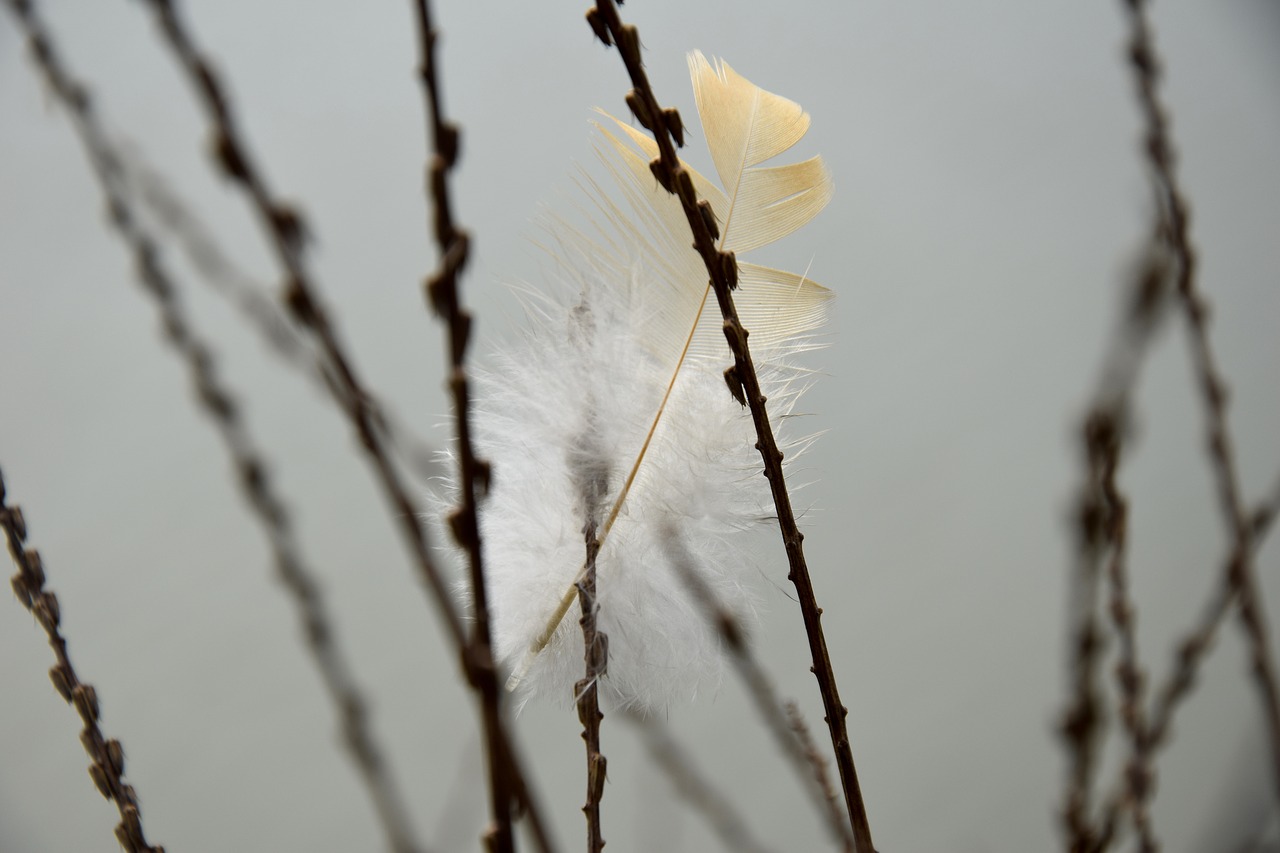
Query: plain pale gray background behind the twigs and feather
{"points": [[990, 200]]}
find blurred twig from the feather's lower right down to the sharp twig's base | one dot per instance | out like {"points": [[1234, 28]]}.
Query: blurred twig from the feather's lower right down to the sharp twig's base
{"points": [[784, 722]]}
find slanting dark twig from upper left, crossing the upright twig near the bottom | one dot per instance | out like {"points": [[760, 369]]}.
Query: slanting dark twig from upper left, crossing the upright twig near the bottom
{"points": [[287, 235]]}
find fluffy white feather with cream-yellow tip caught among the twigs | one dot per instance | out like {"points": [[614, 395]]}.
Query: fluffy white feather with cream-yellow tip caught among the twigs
{"points": [[612, 409]]}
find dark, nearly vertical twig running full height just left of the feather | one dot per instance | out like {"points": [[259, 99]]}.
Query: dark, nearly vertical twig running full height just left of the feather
{"points": [[442, 291]]}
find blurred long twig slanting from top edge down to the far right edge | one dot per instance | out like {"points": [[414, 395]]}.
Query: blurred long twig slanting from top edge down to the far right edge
{"points": [[1240, 576]]}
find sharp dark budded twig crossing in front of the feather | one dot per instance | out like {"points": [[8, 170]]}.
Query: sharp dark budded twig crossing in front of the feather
{"points": [[742, 380]]}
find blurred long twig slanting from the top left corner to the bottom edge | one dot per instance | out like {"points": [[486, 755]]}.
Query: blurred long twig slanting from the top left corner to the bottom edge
{"points": [[221, 405]]}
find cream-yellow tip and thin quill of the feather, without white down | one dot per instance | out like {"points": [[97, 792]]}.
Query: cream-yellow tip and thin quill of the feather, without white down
{"points": [[755, 206]]}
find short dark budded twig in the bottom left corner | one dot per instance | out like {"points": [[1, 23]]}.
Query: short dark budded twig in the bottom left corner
{"points": [[107, 768]]}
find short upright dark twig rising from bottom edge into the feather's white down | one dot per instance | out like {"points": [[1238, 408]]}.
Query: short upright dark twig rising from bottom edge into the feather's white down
{"points": [[588, 695]]}
